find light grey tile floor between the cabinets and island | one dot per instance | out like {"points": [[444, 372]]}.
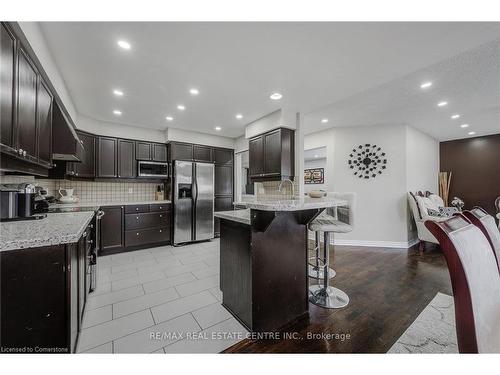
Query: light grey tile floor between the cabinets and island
{"points": [[159, 300]]}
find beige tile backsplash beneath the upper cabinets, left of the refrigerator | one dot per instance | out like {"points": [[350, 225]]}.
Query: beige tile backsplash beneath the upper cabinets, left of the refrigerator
{"points": [[93, 191]]}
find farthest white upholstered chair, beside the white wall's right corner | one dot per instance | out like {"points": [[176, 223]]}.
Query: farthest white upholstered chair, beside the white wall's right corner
{"points": [[419, 206]]}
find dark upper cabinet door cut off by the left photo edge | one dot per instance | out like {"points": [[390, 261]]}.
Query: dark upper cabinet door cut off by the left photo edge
{"points": [[7, 79]]}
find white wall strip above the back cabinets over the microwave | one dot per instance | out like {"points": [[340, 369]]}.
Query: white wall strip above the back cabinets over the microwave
{"points": [[118, 130]]}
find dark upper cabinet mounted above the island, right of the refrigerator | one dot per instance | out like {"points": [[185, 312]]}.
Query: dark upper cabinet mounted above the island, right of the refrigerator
{"points": [[272, 155]]}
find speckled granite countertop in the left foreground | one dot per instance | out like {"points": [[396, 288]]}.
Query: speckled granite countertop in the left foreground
{"points": [[55, 229]]}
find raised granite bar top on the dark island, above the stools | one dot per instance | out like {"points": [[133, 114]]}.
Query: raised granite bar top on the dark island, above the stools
{"points": [[295, 204]]}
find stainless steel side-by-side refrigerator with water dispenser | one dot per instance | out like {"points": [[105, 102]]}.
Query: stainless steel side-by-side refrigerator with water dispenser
{"points": [[193, 195]]}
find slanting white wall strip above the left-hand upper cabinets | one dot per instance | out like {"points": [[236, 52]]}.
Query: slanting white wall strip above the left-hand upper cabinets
{"points": [[36, 39]]}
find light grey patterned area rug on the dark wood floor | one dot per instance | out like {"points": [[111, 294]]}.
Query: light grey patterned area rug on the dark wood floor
{"points": [[433, 331]]}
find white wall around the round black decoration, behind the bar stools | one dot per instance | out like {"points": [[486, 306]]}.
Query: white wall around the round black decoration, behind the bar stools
{"points": [[382, 215]]}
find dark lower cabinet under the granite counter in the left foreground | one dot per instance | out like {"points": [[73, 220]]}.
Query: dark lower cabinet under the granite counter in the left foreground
{"points": [[43, 293]]}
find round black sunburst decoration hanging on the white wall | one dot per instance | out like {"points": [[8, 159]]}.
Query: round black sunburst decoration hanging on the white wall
{"points": [[367, 161]]}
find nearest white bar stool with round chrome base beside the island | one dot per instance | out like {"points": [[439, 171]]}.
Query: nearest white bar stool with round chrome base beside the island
{"points": [[322, 294]]}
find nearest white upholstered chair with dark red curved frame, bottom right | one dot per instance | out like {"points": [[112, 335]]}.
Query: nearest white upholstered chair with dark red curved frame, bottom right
{"points": [[475, 281]]}
